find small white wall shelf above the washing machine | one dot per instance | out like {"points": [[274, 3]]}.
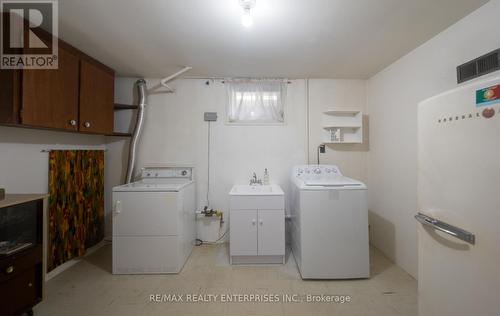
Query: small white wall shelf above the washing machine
{"points": [[342, 127]]}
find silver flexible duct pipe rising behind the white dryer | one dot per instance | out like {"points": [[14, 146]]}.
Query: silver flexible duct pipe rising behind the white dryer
{"points": [[141, 89]]}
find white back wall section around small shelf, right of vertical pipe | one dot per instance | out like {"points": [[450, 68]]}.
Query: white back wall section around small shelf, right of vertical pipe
{"points": [[337, 94]]}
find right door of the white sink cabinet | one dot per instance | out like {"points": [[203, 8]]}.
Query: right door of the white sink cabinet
{"points": [[271, 236]]}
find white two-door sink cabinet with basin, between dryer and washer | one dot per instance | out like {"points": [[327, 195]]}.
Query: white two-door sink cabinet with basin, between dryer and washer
{"points": [[257, 225]]}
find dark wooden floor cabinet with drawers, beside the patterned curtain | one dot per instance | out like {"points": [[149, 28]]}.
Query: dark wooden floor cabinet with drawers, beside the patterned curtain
{"points": [[22, 272]]}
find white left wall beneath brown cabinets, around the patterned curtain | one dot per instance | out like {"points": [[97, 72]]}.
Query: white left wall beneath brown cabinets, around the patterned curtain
{"points": [[24, 168]]}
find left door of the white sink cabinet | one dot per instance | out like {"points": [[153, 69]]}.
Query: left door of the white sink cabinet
{"points": [[243, 234]]}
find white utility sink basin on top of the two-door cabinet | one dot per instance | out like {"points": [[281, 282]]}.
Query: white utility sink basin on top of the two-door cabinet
{"points": [[246, 197]]}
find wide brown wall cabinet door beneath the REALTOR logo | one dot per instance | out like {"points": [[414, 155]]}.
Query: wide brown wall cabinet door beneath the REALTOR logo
{"points": [[50, 96]]}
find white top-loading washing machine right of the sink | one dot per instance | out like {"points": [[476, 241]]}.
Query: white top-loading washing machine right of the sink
{"points": [[329, 223]]}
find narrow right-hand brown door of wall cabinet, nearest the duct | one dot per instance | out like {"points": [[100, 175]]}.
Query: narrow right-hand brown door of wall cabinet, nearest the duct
{"points": [[96, 98]]}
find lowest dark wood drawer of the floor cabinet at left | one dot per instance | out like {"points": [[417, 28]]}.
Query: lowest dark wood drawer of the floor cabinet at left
{"points": [[19, 293]]}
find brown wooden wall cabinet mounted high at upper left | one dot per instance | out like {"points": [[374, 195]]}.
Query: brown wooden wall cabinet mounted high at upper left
{"points": [[78, 96]]}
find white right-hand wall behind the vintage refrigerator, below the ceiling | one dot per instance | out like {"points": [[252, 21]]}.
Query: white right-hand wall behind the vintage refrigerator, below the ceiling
{"points": [[393, 95]]}
